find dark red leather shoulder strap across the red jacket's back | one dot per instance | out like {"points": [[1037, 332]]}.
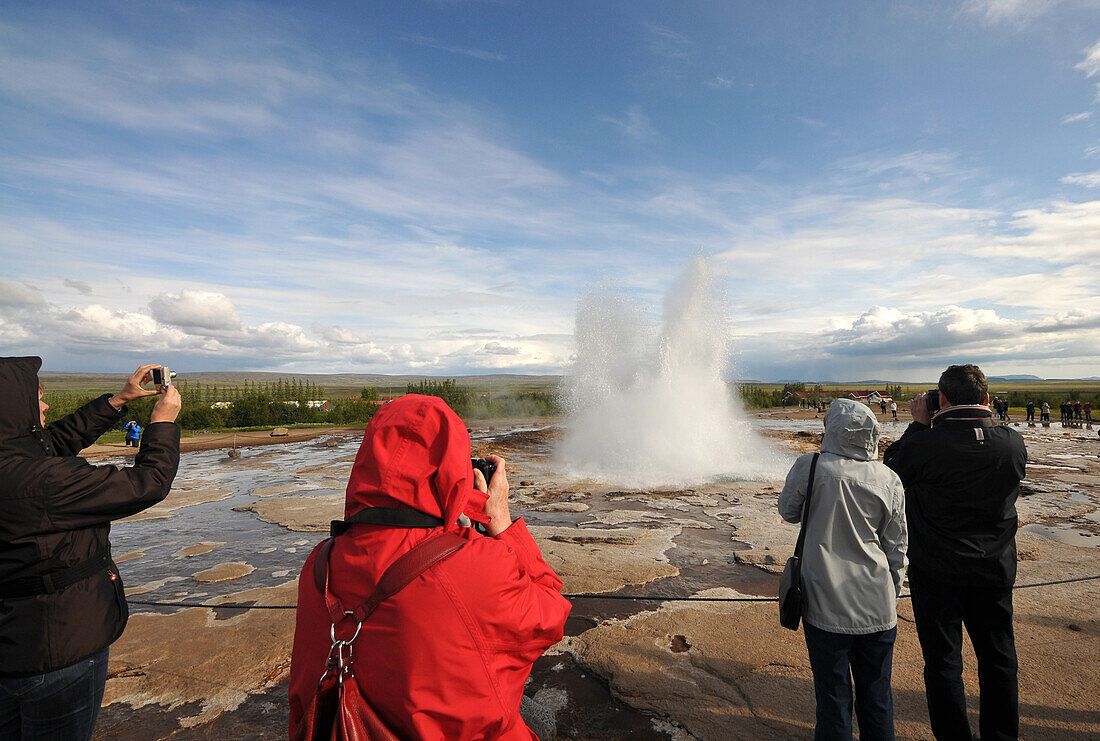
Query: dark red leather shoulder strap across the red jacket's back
{"points": [[414, 563]]}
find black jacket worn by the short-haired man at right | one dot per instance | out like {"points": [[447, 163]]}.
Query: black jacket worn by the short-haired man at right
{"points": [[962, 480]]}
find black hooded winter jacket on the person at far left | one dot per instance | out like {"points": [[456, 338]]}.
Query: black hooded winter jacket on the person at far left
{"points": [[56, 515]]}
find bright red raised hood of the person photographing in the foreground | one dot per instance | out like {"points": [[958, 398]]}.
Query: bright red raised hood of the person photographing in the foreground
{"points": [[416, 455]]}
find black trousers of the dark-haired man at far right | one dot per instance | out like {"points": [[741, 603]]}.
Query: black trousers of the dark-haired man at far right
{"points": [[941, 612]]}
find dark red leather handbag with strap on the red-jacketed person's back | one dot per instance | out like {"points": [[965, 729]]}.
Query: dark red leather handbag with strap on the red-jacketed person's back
{"points": [[339, 711]]}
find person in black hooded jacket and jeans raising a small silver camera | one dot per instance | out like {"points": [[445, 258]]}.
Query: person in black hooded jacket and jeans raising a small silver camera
{"points": [[62, 602]]}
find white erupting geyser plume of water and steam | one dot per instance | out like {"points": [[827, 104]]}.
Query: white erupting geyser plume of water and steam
{"points": [[650, 406]]}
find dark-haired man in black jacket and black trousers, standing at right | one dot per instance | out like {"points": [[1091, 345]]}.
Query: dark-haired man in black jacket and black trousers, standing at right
{"points": [[962, 477]]}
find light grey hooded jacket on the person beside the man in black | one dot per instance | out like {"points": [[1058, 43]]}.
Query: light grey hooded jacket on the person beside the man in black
{"points": [[854, 561]]}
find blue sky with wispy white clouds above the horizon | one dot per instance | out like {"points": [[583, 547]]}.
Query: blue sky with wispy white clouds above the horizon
{"points": [[433, 187]]}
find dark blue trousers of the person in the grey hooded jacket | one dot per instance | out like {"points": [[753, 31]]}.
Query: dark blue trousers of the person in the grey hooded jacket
{"points": [[835, 660]]}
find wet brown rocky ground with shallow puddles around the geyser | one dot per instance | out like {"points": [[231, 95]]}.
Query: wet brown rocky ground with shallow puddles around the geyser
{"points": [[237, 533]]}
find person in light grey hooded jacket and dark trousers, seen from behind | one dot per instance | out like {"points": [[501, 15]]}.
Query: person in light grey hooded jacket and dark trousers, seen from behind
{"points": [[853, 569]]}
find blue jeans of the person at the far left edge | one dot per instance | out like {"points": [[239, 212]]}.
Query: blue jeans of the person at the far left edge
{"points": [[57, 706]]}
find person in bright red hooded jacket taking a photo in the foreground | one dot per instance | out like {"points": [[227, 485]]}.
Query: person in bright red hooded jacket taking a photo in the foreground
{"points": [[447, 657]]}
